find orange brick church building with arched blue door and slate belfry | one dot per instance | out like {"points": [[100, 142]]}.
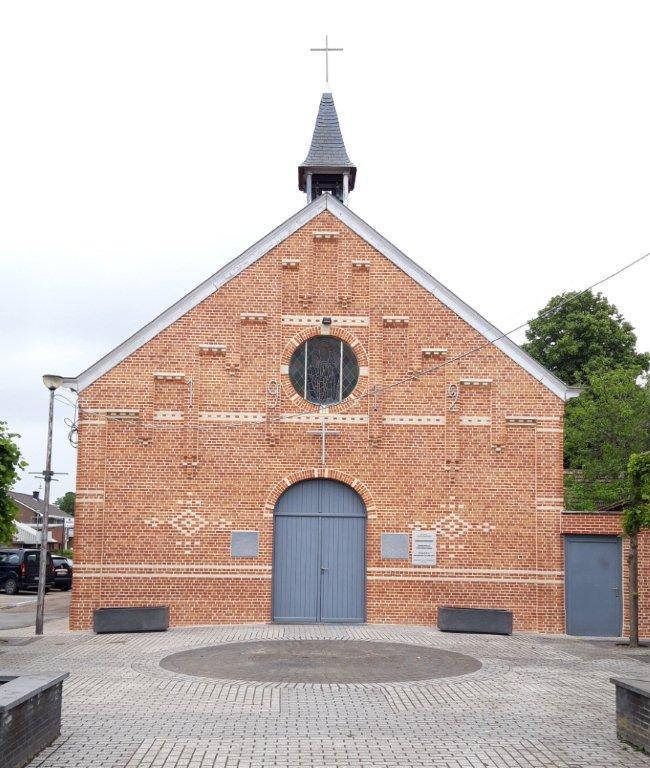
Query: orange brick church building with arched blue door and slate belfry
{"points": [[281, 442]]}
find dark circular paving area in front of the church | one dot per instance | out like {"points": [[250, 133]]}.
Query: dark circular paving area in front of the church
{"points": [[321, 661]]}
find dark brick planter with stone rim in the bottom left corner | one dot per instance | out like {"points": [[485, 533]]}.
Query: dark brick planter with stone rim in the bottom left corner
{"points": [[30, 715]]}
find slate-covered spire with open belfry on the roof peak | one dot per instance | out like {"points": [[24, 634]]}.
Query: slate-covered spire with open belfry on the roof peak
{"points": [[327, 167]]}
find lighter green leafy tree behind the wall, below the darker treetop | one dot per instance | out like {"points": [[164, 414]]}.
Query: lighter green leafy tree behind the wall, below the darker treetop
{"points": [[603, 427]]}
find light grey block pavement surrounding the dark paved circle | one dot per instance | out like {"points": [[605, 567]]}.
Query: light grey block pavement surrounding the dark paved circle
{"points": [[536, 702]]}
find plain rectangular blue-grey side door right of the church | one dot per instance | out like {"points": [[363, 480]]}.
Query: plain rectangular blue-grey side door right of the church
{"points": [[593, 581]]}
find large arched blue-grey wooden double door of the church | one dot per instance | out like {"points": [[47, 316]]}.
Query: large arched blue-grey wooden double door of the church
{"points": [[319, 554]]}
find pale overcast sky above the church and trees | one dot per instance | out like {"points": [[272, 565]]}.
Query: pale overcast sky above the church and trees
{"points": [[502, 145]]}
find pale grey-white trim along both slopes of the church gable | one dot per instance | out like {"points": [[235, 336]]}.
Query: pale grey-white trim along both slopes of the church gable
{"points": [[274, 238]]}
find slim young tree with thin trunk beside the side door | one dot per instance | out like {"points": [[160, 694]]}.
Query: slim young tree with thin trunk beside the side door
{"points": [[635, 520]]}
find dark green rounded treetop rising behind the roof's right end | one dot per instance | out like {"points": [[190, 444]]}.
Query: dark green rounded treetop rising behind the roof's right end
{"points": [[576, 335]]}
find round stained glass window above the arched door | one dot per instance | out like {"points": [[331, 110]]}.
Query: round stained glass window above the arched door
{"points": [[324, 370]]}
